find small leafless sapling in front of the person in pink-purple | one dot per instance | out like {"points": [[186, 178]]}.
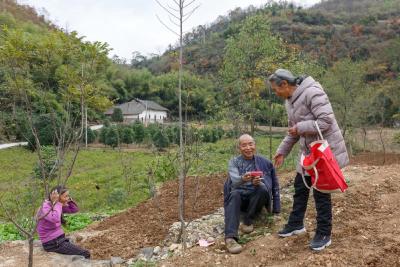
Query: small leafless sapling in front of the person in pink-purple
{"points": [[67, 138]]}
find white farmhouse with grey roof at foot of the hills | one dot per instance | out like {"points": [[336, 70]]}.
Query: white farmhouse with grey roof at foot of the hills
{"points": [[145, 111]]}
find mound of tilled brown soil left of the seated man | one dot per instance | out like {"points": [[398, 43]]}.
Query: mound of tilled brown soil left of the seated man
{"points": [[147, 224]]}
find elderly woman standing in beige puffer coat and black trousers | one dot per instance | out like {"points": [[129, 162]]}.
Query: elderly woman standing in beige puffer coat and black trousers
{"points": [[307, 103]]}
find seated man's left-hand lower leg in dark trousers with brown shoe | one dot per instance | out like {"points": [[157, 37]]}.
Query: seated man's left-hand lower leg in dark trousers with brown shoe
{"points": [[232, 220]]}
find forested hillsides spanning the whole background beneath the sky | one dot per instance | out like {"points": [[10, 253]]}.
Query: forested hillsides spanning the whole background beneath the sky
{"points": [[350, 46]]}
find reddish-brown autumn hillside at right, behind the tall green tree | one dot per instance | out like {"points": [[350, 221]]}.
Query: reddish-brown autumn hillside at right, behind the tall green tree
{"points": [[362, 36]]}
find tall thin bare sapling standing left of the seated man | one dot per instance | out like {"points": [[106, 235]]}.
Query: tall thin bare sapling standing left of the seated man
{"points": [[179, 11]]}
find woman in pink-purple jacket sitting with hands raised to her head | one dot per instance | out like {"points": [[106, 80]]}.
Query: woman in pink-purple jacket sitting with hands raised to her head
{"points": [[50, 220]]}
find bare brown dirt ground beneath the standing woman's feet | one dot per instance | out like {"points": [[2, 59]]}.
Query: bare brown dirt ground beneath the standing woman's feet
{"points": [[366, 230]]}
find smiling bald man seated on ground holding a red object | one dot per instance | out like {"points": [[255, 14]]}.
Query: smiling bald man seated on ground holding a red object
{"points": [[246, 193]]}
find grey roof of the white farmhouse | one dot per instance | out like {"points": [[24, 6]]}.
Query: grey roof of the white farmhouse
{"points": [[136, 106]]}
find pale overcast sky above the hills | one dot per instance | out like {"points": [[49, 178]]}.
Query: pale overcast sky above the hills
{"points": [[131, 25]]}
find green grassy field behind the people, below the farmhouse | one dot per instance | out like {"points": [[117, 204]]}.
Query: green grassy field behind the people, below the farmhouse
{"points": [[98, 184]]}
